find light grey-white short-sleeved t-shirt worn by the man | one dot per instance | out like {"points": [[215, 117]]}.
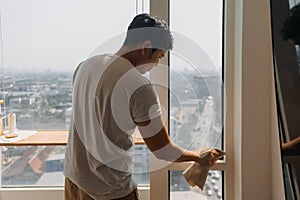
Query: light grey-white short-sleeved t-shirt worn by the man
{"points": [[109, 96]]}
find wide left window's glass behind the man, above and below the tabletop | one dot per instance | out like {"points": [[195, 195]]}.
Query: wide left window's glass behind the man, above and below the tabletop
{"points": [[42, 44]]}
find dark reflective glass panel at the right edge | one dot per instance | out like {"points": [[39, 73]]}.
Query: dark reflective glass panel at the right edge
{"points": [[286, 34]]}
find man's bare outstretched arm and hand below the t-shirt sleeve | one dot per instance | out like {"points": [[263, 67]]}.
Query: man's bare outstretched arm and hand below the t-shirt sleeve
{"points": [[158, 141]]}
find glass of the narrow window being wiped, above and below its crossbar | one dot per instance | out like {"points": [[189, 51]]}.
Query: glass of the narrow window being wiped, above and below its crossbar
{"points": [[196, 102]]}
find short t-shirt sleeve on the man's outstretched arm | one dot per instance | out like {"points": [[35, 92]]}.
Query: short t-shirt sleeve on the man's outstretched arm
{"points": [[144, 104]]}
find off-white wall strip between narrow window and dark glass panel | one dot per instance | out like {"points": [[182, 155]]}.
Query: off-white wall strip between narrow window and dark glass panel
{"points": [[256, 147]]}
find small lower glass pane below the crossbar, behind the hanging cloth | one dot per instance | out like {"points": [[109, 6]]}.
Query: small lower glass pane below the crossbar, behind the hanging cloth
{"points": [[213, 189]]}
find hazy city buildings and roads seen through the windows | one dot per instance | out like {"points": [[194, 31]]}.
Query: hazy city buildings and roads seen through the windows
{"points": [[43, 101]]}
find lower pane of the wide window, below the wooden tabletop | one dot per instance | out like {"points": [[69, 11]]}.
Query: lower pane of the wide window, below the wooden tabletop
{"points": [[43, 165]]}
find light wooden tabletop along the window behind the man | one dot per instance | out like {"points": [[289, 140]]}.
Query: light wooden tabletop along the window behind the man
{"points": [[52, 138]]}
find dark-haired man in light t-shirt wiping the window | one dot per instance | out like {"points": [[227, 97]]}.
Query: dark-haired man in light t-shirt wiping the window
{"points": [[110, 99]]}
